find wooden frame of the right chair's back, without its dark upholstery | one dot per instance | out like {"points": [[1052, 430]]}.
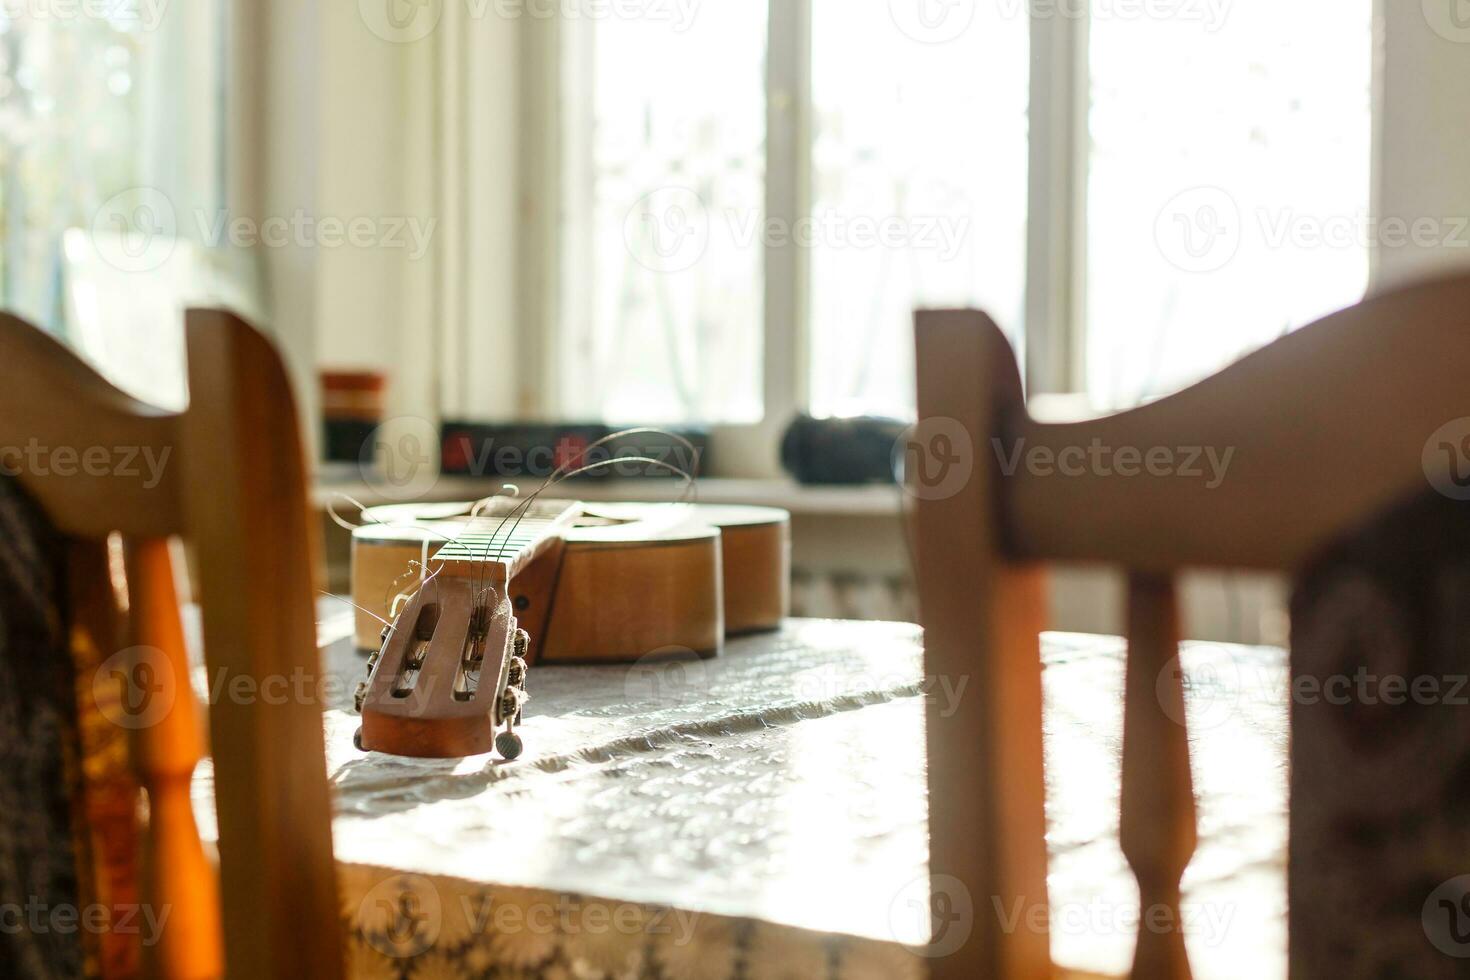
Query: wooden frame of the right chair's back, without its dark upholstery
{"points": [[1330, 427]]}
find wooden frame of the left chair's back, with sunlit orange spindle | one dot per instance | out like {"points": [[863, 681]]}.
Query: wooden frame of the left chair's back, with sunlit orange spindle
{"points": [[229, 477]]}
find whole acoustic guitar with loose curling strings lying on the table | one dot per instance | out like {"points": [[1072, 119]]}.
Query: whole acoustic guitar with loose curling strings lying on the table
{"points": [[474, 596]]}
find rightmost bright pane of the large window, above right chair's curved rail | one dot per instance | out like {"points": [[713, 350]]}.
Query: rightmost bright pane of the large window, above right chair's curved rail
{"points": [[1228, 186]]}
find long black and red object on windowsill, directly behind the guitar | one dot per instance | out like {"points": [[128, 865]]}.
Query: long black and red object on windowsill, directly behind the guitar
{"points": [[526, 450]]}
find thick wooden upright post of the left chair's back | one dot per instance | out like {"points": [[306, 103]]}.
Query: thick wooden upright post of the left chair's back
{"points": [[258, 566]]}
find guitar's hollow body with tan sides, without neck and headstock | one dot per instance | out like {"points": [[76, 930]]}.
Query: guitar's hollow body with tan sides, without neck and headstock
{"points": [[621, 583]]}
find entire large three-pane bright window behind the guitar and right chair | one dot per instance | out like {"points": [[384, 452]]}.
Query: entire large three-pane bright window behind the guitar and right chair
{"points": [[720, 274]]}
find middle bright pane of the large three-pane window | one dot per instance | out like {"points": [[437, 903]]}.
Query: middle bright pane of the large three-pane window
{"points": [[918, 192]]}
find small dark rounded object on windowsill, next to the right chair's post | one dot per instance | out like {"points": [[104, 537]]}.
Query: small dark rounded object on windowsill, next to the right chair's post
{"points": [[842, 450]]}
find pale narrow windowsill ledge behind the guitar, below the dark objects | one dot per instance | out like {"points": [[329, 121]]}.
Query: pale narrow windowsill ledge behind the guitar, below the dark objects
{"points": [[852, 502]]}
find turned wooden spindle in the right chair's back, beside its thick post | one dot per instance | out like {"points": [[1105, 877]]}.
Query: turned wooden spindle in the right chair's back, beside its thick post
{"points": [[1158, 821]]}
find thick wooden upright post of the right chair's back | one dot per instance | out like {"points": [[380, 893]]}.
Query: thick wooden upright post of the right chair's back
{"points": [[983, 618]]}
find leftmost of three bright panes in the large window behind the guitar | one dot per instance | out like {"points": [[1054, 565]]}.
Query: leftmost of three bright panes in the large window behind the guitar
{"points": [[665, 296]]}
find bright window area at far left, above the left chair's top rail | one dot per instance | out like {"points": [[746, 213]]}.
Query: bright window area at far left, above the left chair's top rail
{"points": [[112, 180]]}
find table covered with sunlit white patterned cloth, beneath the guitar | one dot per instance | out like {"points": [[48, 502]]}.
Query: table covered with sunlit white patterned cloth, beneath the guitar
{"points": [[764, 815]]}
